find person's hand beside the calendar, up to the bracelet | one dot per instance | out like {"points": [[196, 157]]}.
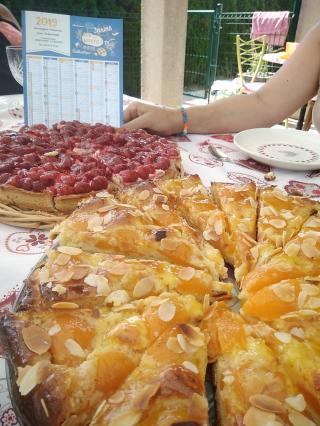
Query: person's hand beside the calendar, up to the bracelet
{"points": [[157, 119]]}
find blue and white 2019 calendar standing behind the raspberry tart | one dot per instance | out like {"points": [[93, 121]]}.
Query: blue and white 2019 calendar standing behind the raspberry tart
{"points": [[73, 69]]}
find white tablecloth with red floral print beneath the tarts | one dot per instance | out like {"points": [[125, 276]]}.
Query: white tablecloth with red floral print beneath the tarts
{"points": [[21, 248]]}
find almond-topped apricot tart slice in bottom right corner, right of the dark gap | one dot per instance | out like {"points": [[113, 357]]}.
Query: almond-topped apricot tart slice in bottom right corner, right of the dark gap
{"points": [[260, 374]]}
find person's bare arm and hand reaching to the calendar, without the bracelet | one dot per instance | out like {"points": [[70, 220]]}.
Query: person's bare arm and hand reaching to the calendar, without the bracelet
{"points": [[291, 87]]}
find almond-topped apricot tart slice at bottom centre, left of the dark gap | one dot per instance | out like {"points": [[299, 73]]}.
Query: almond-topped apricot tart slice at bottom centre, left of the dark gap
{"points": [[168, 386]]}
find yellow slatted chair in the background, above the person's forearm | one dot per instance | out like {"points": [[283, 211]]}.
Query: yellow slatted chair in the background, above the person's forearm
{"points": [[250, 58]]}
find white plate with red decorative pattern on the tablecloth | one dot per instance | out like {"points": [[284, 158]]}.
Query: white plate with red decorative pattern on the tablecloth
{"points": [[284, 148]]}
